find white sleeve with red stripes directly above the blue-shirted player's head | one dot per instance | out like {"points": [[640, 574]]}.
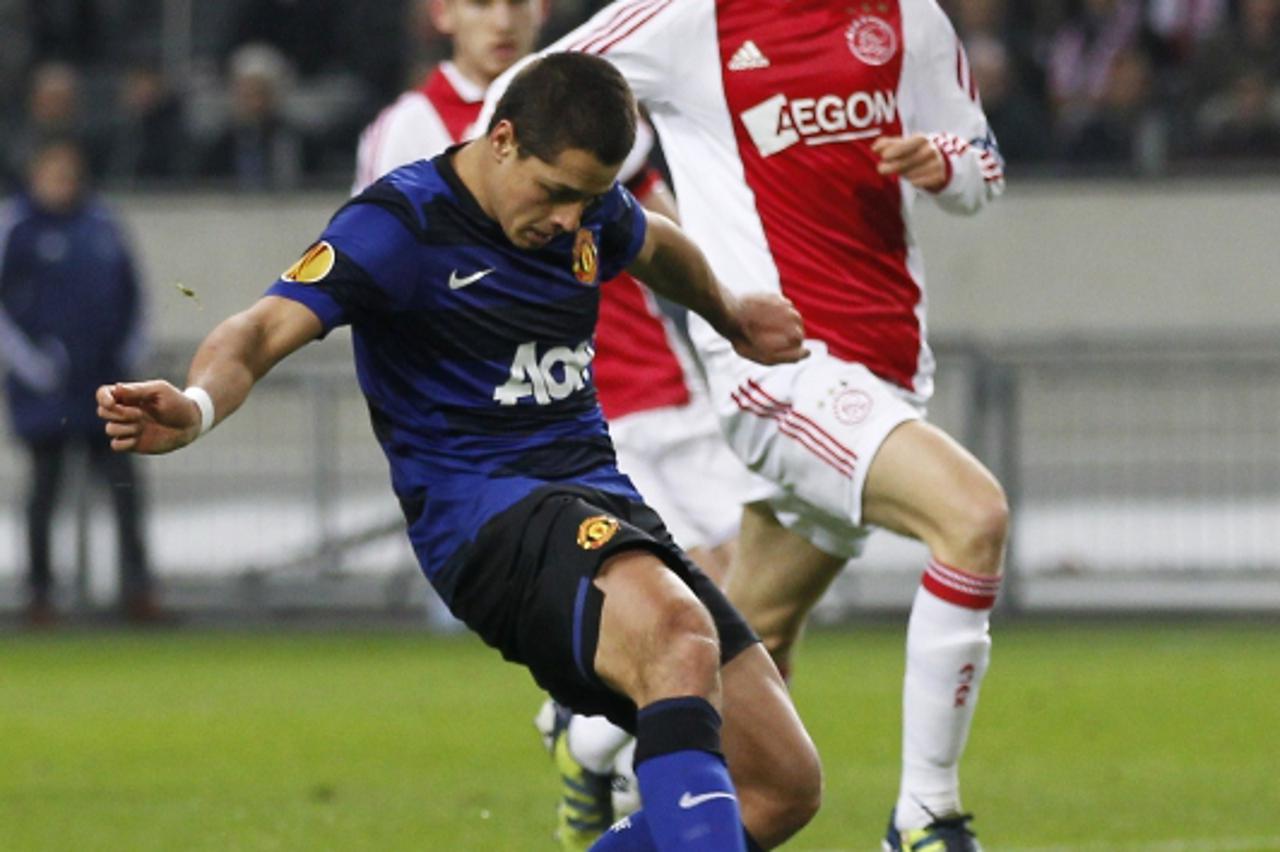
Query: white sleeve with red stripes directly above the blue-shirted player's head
{"points": [[643, 39]]}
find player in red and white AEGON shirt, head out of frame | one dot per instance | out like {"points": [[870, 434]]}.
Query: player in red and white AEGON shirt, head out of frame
{"points": [[799, 136]]}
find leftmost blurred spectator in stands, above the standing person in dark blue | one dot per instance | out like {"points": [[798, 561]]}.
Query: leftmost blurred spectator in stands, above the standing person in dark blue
{"points": [[56, 112]]}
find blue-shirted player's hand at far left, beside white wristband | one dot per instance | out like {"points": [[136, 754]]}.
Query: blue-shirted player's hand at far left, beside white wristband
{"points": [[148, 416]]}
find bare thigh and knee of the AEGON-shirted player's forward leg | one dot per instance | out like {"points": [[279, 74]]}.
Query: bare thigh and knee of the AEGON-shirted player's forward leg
{"points": [[925, 484]]}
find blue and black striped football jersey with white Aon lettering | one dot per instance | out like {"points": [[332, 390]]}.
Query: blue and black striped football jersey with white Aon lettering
{"points": [[474, 355]]}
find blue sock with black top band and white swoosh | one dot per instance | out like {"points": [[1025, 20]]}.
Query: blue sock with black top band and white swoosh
{"points": [[689, 800]]}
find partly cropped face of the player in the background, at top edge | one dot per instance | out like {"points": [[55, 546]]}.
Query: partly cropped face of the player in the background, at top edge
{"points": [[490, 35]]}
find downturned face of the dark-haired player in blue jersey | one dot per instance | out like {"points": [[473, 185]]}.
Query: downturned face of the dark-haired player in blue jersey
{"points": [[537, 201]]}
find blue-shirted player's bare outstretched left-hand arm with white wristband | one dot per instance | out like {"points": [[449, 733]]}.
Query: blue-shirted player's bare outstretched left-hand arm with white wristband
{"points": [[157, 418]]}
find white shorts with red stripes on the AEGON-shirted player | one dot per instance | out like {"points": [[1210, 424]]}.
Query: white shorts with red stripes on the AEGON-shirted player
{"points": [[811, 430]]}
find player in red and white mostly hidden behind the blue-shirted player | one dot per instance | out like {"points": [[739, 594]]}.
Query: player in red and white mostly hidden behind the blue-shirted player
{"points": [[661, 423]]}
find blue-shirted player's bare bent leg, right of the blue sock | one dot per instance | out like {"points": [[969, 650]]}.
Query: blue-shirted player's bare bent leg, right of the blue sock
{"points": [[771, 757]]}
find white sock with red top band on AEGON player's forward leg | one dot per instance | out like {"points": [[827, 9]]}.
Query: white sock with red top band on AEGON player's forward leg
{"points": [[948, 653]]}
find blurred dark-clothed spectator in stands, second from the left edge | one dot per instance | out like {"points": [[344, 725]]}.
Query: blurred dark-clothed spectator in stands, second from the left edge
{"points": [[149, 138]]}
